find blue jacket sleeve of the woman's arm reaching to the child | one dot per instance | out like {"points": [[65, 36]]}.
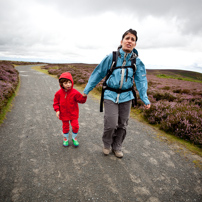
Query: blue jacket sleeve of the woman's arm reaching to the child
{"points": [[99, 73]]}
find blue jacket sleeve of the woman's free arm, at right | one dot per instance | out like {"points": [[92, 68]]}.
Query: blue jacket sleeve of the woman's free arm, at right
{"points": [[141, 81]]}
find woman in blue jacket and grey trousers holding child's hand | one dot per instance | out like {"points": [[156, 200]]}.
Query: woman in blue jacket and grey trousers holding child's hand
{"points": [[117, 105]]}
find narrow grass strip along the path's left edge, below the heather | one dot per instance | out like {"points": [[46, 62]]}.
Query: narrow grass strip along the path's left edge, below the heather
{"points": [[8, 106]]}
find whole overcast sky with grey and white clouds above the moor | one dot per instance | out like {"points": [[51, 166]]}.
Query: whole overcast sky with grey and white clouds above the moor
{"points": [[169, 32]]}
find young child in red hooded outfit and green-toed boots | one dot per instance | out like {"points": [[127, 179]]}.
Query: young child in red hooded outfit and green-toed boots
{"points": [[66, 106]]}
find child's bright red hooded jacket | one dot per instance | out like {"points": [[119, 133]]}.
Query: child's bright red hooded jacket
{"points": [[67, 101]]}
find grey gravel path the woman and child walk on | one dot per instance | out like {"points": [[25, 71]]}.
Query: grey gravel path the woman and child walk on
{"points": [[34, 166]]}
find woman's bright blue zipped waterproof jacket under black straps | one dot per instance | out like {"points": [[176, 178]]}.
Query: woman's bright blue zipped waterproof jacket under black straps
{"points": [[119, 80]]}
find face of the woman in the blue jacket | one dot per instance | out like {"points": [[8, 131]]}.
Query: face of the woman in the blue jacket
{"points": [[128, 43]]}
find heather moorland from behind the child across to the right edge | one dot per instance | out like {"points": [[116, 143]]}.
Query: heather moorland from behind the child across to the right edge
{"points": [[175, 99]]}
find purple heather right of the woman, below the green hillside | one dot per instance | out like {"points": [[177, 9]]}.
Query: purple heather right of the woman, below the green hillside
{"points": [[176, 107]]}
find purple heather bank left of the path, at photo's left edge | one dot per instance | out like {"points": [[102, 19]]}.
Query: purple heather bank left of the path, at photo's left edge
{"points": [[9, 79]]}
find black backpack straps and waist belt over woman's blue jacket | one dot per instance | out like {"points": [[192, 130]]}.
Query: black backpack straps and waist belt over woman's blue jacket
{"points": [[113, 67]]}
